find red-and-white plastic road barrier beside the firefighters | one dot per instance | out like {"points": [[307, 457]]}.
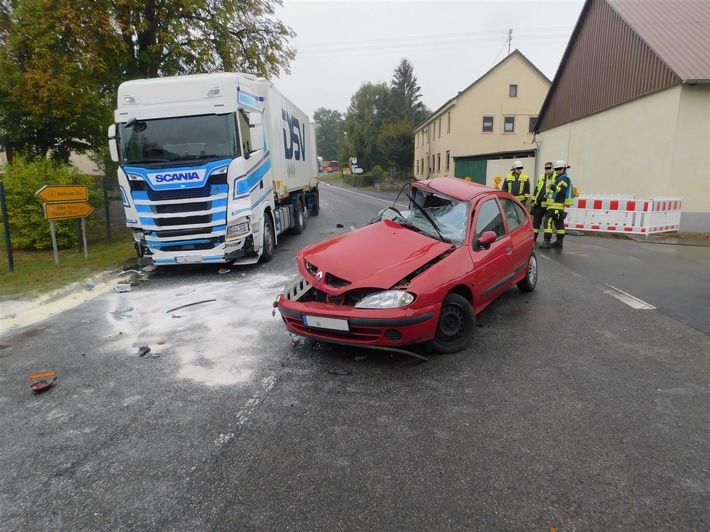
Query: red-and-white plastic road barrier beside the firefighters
{"points": [[624, 214]]}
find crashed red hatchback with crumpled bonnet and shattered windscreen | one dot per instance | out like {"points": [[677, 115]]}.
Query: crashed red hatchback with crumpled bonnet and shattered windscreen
{"points": [[417, 275]]}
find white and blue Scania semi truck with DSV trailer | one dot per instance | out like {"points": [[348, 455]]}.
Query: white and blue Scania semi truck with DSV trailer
{"points": [[212, 167]]}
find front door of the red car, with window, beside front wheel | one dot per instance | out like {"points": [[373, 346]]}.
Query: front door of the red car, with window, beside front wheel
{"points": [[493, 270]]}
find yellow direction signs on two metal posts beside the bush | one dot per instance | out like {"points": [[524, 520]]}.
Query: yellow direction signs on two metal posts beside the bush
{"points": [[62, 202]]}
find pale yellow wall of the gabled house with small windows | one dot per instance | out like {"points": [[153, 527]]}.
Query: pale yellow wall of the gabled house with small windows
{"points": [[458, 127]]}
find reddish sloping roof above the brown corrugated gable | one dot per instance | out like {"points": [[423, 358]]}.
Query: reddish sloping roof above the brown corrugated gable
{"points": [[677, 31]]}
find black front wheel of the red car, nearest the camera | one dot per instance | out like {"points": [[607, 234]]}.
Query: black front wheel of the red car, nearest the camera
{"points": [[456, 324]]}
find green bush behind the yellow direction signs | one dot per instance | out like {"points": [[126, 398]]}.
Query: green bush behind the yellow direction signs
{"points": [[28, 227]]}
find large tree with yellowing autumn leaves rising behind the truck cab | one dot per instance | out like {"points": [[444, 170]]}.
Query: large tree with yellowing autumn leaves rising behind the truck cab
{"points": [[61, 63]]}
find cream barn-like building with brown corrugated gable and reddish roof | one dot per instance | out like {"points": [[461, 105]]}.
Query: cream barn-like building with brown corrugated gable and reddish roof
{"points": [[629, 107]]}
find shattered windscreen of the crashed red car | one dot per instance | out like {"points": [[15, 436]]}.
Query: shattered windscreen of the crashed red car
{"points": [[448, 215]]}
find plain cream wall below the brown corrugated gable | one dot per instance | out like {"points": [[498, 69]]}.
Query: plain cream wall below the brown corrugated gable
{"points": [[656, 145]]}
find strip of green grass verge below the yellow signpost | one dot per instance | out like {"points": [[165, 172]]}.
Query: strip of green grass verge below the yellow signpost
{"points": [[35, 272]]}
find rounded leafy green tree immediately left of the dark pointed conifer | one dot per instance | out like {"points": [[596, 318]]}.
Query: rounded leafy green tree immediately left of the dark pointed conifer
{"points": [[369, 109]]}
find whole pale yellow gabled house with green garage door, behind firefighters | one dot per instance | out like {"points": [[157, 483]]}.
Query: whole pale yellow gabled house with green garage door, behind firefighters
{"points": [[479, 132]]}
